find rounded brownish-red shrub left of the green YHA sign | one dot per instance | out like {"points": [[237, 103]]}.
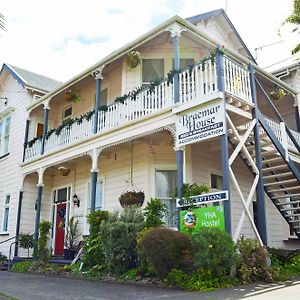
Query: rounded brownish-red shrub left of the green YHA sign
{"points": [[166, 249]]}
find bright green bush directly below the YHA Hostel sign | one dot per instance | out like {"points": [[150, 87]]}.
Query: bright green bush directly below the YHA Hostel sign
{"points": [[215, 251]]}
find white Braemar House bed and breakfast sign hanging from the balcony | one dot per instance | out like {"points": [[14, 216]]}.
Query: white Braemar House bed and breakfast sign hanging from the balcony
{"points": [[200, 123]]}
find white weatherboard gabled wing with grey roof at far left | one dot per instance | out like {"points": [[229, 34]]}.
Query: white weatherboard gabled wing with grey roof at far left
{"points": [[18, 89]]}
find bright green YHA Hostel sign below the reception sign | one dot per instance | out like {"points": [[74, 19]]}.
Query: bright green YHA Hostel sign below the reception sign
{"points": [[193, 221]]}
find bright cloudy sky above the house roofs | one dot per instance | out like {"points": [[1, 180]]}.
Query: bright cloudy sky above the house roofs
{"points": [[61, 38]]}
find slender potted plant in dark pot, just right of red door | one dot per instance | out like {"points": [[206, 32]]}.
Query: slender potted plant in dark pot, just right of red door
{"points": [[71, 239]]}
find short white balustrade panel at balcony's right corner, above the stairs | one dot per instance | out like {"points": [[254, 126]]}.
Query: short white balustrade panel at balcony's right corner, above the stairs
{"points": [[237, 80]]}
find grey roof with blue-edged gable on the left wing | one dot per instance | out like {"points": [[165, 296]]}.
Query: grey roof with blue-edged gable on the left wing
{"points": [[30, 79]]}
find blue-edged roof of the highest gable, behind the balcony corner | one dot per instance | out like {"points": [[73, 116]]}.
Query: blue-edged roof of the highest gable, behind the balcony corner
{"points": [[220, 12]]}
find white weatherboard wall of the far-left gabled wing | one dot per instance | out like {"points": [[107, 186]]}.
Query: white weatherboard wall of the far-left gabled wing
{"points": [[10, 174]]}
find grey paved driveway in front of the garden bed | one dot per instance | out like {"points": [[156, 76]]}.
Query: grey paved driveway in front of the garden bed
{"points": [[33, 287]]}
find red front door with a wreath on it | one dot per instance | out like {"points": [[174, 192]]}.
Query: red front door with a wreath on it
{"points": [[60, 229]]}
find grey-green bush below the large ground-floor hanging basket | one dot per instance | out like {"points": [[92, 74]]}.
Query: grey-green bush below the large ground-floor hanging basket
{"points": [[118, 236]]}
